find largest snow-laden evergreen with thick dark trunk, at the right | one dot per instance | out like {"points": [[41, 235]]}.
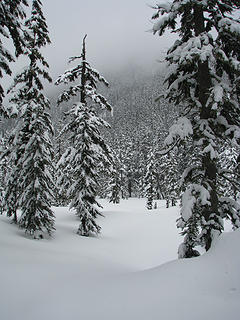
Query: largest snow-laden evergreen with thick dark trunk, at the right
{"points": [[203, 80]]}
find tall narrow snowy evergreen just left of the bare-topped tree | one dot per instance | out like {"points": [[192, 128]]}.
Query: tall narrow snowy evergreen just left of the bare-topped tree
{"points": [[32, 147]]}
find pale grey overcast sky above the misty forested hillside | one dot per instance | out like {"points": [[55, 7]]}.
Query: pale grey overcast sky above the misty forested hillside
{"points": [[117, 33]]}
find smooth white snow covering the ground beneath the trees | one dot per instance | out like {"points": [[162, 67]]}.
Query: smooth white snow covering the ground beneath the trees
{"points": [[128, 272]]}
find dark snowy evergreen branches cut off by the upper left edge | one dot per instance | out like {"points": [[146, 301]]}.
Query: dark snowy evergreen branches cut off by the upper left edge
{"points": [[11, 14]]}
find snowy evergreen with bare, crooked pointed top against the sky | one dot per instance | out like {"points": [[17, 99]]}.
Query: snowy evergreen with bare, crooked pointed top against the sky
{"points": [[88, 152]]}
